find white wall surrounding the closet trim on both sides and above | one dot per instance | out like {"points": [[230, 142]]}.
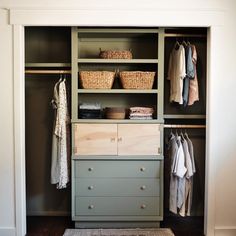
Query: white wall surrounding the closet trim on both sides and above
{"points": [[223, 95]]}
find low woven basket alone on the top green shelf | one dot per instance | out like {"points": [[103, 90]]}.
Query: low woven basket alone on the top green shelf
{"points": [[115, 54]]}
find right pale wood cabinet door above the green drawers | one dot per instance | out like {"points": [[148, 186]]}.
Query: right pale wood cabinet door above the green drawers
{"points": [[139, 139]]}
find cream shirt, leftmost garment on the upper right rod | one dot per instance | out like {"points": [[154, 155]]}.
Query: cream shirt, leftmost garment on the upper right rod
{"points": [[176, 73]]}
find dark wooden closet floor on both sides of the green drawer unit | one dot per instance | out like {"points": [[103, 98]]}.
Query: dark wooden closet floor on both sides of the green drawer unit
{"points": [[55, 226]]}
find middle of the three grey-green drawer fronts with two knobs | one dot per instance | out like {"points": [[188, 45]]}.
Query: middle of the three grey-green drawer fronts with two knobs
{"points": [[117, 187]]}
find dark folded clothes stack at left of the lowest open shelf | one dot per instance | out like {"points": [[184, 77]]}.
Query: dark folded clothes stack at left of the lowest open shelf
{"points": [[90, 111]]}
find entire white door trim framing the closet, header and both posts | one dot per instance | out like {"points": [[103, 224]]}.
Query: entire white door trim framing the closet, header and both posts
{"points": [[155, 18]]}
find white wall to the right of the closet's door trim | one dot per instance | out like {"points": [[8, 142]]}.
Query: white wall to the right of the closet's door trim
{"points": [[226, 162]]}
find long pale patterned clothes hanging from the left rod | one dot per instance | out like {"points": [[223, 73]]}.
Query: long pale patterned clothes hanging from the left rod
{"points": [[59, 167]]}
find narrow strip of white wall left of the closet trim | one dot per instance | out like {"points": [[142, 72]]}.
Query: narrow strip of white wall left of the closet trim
{"points": [[7, 219]]}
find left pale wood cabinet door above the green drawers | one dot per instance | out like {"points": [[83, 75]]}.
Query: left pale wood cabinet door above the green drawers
{"points": [[95, 139]]}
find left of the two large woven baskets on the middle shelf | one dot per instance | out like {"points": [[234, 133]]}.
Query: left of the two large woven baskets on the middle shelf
{"points": [[96, 79]]}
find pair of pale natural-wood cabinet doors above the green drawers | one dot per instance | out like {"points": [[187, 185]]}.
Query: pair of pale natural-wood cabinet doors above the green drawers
{"points": [[117, 139]]}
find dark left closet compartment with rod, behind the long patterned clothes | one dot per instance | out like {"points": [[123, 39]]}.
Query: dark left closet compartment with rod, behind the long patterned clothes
{"points": [[48, 59]]}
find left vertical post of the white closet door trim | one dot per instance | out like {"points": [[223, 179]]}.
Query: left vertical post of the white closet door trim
{"points": [[19, 128]]}
